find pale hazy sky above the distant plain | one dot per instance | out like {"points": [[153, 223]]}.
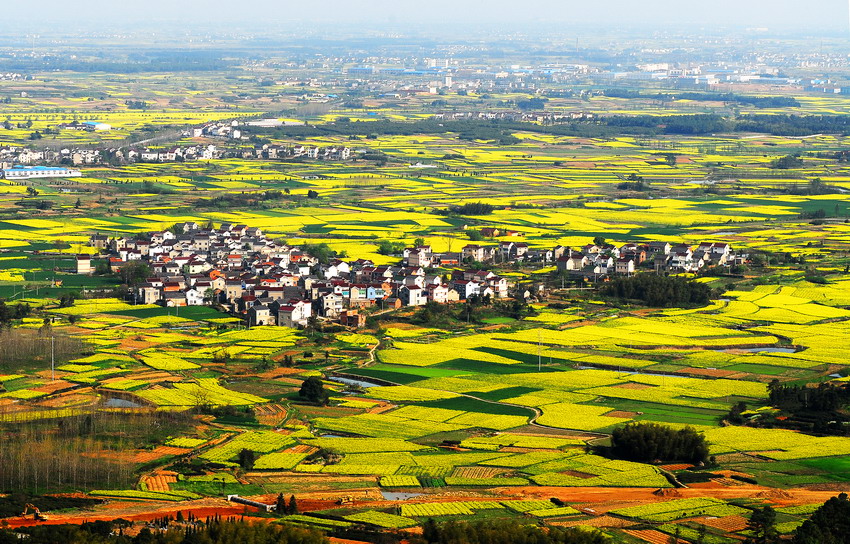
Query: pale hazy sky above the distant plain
{"points": [[807, 15]]}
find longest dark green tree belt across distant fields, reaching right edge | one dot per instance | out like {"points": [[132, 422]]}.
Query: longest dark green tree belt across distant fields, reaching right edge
{"points": [[611, 126]]}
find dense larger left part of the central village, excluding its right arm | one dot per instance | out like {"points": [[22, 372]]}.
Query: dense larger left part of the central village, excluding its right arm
{"points": [[269, 283]]}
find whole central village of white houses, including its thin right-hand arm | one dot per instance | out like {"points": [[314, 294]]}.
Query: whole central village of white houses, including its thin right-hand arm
{"points": [[270, 283]]}
